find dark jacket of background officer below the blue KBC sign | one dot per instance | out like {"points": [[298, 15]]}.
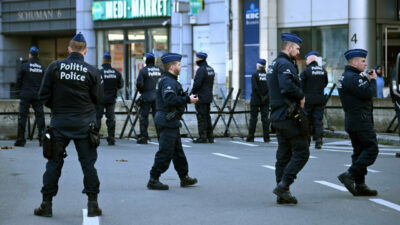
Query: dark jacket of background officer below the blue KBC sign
{"points": [[259, 87]]}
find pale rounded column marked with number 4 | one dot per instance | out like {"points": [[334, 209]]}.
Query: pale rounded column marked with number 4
{"points": [[362, 28]]}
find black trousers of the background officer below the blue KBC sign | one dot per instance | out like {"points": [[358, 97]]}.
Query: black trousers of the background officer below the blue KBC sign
{"points": [[254, 109]]}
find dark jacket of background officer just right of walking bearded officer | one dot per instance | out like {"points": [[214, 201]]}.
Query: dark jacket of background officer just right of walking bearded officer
{"points": [[203, 82]]}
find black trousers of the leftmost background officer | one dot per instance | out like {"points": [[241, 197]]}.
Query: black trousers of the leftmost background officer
{"points": [[37, 106]]}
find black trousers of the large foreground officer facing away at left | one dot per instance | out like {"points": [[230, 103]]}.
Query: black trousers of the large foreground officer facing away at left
{"points": [[87, 156]]}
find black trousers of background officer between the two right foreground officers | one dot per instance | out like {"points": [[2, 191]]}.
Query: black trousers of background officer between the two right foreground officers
{"points": [[315, 114]]}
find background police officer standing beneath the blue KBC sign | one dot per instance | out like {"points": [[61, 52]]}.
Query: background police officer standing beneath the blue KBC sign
{"points": [[259, 101]]}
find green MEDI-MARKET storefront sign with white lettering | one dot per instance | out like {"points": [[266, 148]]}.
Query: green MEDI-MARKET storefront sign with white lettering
{"points": [[130, 9]]}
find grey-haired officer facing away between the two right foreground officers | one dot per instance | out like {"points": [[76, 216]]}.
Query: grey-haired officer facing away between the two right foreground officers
{"points": [[314, 79]]}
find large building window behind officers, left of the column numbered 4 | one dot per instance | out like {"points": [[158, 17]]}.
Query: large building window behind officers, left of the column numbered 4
{"points": [[329, 41]]}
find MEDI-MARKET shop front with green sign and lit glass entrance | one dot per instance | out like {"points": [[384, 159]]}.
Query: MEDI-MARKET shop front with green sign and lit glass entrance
{"points": [[128, 29]]}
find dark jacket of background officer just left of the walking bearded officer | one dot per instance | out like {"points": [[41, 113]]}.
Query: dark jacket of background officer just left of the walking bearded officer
{"points": [[146, 82]]}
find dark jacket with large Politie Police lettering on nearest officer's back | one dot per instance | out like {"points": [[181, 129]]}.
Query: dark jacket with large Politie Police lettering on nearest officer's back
{"points": [[71, 89]]}
